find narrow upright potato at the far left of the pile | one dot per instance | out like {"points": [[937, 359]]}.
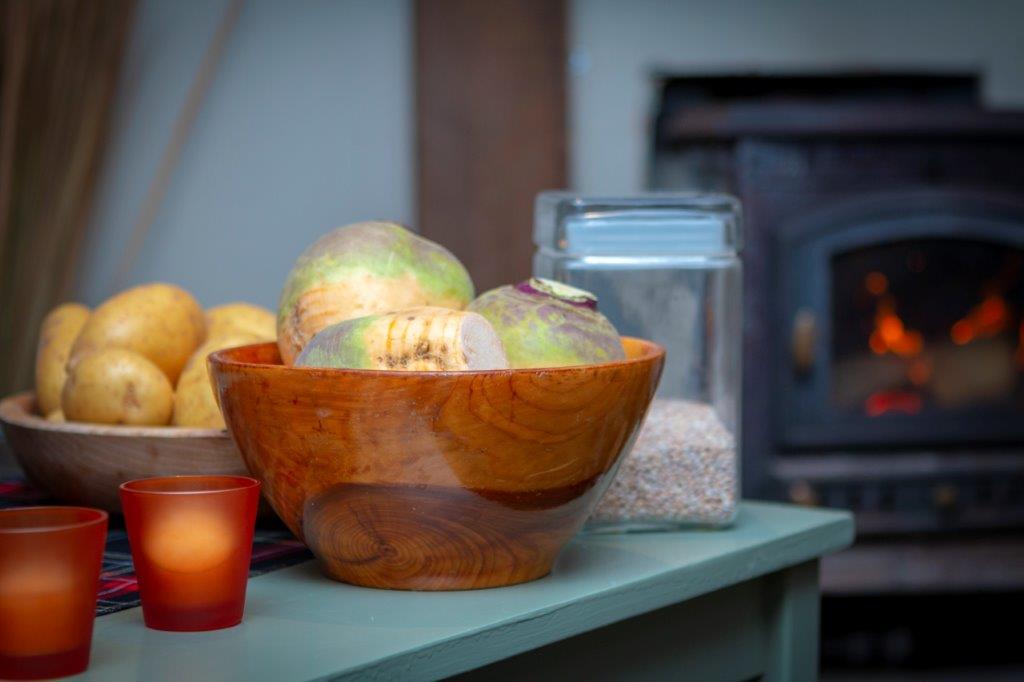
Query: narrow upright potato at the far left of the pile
{"points": [[57, 335]]}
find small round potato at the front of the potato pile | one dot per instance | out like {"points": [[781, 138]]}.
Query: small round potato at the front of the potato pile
{"points": [[117, 387]]}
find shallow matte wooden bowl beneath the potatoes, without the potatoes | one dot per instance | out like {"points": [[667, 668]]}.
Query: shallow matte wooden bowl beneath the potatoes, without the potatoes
{"points": [[84, 464]]}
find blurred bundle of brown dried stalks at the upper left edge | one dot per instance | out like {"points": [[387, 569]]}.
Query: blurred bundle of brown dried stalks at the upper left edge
{"points": [[60, 67]]}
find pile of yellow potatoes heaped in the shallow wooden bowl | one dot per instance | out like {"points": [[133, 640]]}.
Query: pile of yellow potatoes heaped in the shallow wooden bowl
{"points": [[140, 358]]}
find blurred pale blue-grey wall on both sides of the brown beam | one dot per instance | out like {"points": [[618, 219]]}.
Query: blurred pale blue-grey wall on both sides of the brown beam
{"points": [[310, 121]]}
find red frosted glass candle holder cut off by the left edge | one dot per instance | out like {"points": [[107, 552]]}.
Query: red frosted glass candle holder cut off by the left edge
{"points": [[50, 572]]}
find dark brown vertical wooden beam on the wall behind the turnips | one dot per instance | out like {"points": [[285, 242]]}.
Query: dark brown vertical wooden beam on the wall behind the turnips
{"points": [[491, 126]]}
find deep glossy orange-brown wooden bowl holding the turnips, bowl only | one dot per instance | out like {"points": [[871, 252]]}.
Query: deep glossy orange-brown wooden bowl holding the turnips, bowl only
{"points": [[441, 481]]}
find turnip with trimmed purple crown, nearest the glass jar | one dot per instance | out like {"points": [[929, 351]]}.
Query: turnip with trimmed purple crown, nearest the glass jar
{"points": [[548, 324]]}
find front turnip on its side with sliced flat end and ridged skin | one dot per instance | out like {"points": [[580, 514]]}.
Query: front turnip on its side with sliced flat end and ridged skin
{"points": [[418, 339]]}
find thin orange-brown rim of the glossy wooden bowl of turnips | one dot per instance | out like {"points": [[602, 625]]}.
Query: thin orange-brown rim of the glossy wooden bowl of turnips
{"points": [[226, 358]]}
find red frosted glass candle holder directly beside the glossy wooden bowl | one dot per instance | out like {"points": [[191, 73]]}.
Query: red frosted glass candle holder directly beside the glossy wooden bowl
{"points": [[192, 539]]}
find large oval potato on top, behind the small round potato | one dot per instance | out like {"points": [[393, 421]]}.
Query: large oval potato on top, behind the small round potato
{"points": [[160, 322]]}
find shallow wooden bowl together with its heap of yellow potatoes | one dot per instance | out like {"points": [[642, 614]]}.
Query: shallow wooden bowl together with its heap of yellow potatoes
{"points": [[123, 393]]}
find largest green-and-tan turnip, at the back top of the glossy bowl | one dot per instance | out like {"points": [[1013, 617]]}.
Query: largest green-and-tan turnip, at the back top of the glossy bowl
{"points": [[362, 270]]}
